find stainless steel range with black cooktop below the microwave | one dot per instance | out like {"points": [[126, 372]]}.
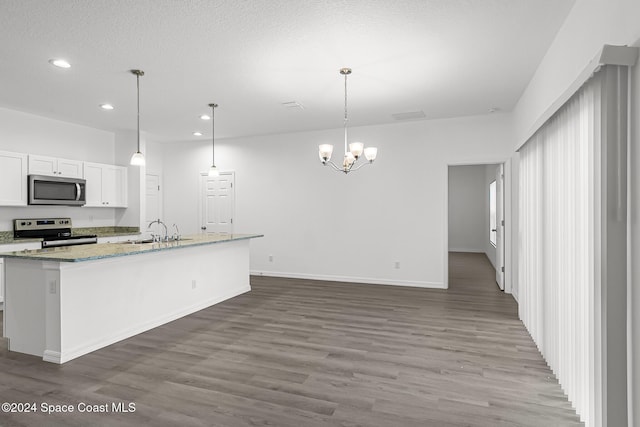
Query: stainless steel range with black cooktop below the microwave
{"points": [[54, 232]]}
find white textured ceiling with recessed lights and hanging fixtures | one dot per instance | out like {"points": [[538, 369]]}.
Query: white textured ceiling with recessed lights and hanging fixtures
{"points": [[444, 57]]}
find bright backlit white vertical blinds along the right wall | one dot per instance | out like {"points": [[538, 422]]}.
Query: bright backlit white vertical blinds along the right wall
{"points": [[556, 242]]}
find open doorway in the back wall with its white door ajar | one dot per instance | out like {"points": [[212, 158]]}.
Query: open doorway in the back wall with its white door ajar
{"points": [[478, 208]]}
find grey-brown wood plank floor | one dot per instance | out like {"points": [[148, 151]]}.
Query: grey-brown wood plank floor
{"points": [[308, 353]]}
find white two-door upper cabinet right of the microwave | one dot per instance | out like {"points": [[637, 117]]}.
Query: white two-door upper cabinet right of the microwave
{"points": [[106, 185]]}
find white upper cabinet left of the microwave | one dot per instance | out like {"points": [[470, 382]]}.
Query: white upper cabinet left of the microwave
{"points": [[13, 179]]}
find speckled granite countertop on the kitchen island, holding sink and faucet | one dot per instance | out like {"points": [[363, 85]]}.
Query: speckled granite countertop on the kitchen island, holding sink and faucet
{"points": [[108, 250]]}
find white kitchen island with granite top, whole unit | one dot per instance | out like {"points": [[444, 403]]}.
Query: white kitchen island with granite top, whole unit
{"points": [[62, 303]]}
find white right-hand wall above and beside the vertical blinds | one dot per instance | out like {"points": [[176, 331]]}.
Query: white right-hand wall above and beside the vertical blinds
{"points": [[590, 25]]}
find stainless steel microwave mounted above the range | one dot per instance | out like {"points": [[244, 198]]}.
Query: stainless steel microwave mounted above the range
{"points": [[53, 190]]}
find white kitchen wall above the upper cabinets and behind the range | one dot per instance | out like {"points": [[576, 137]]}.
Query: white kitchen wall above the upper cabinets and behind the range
{"points": [[31, 134]]}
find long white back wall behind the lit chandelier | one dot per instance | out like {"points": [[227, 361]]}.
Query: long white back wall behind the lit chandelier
{"points": [[322, 224]]}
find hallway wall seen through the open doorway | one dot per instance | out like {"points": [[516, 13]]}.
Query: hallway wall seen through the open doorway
{"points": [[467, 208]]}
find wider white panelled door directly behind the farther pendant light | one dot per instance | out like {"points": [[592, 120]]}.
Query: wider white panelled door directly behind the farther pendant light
{"points": [[217, 203]]}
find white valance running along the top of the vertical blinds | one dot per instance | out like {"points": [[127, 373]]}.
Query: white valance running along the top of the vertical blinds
{"points": [[608, 55]]}
